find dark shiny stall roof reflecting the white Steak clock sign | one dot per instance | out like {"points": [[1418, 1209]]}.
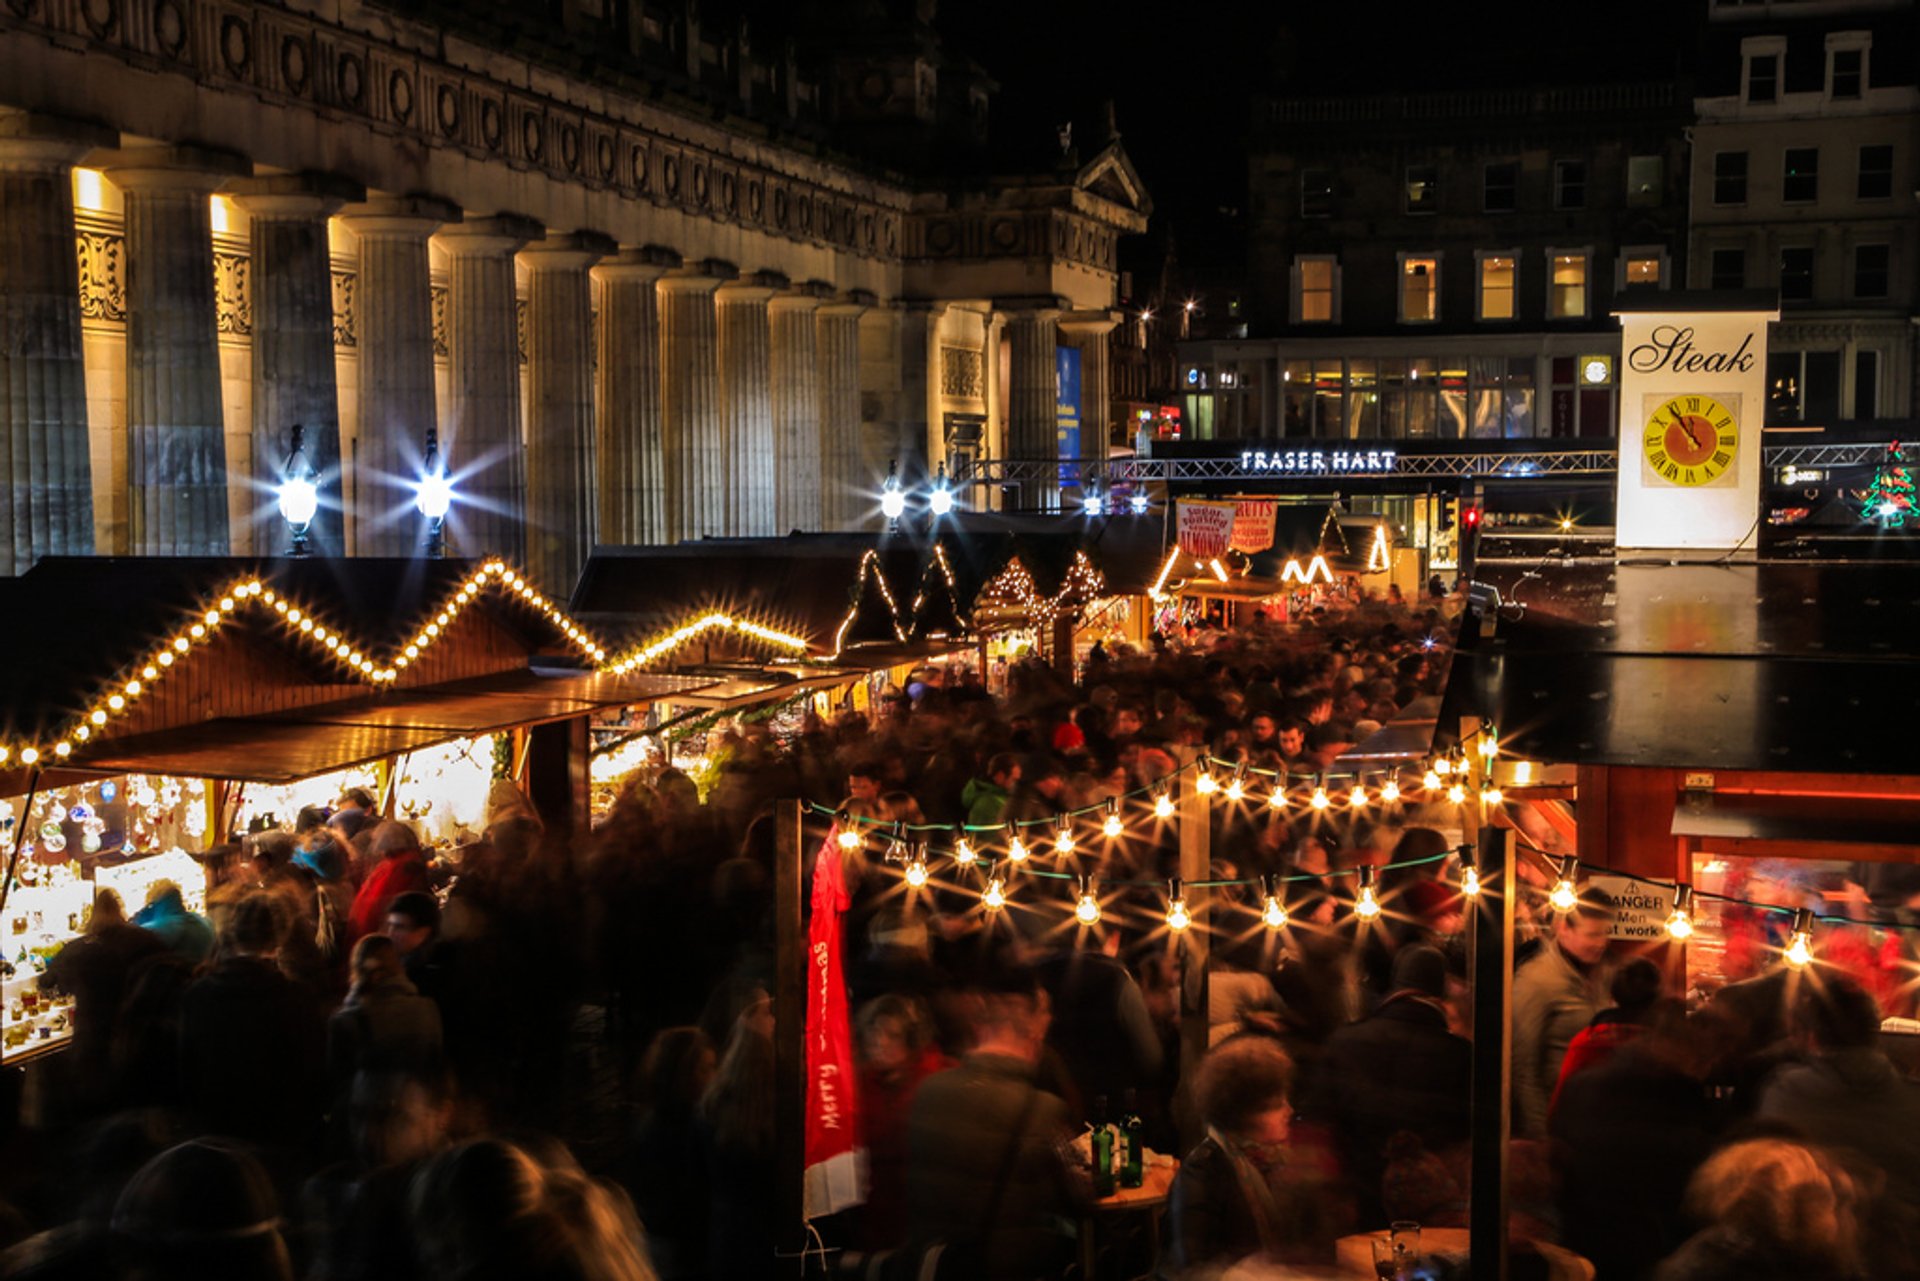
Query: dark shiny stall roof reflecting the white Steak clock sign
{"points": [[1792, 667]]}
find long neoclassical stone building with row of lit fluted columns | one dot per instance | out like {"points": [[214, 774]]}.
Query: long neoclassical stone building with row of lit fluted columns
{"points": [[621, 306]]}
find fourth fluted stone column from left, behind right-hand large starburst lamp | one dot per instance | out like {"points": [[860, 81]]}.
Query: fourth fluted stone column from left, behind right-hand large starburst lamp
{"points": [[396, 370]]}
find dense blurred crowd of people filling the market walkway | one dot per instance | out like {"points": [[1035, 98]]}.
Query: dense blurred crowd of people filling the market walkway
{"points": [[556, 1055]]}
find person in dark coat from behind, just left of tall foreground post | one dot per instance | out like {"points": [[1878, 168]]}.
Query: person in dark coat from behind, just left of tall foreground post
{"points": [[1401, 1069]]}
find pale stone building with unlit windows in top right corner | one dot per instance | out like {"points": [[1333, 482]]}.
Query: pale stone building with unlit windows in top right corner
{"points": [[1804, 181]]}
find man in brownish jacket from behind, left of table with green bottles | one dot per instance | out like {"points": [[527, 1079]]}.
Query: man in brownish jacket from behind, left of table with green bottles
{"points": [[984, 1142]]}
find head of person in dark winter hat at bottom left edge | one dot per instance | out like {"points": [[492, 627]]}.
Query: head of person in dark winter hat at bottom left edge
{"points": [[204, 1209]]}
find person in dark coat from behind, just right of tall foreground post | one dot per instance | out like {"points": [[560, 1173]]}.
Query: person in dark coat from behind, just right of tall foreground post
{"points": [[1627, 1138]]}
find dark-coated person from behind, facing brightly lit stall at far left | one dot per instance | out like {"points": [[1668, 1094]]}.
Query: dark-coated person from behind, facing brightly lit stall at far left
{"points": [[252, 1040]]}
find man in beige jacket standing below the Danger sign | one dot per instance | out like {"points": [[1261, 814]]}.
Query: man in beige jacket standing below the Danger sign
{"points": [[1554, 998]]}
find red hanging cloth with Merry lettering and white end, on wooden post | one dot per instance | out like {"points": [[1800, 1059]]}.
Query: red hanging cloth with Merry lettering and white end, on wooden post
{"points": [[836, 1165]]}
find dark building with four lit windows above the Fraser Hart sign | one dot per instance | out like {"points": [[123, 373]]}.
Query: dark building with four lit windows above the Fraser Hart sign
{"points": [[1445, 264]]}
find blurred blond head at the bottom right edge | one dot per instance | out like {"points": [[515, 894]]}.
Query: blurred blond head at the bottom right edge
{"points": [[1775, 1211]]}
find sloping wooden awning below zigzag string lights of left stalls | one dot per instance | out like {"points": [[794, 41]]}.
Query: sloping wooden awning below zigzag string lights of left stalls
{"points": [[316, 740]]}
